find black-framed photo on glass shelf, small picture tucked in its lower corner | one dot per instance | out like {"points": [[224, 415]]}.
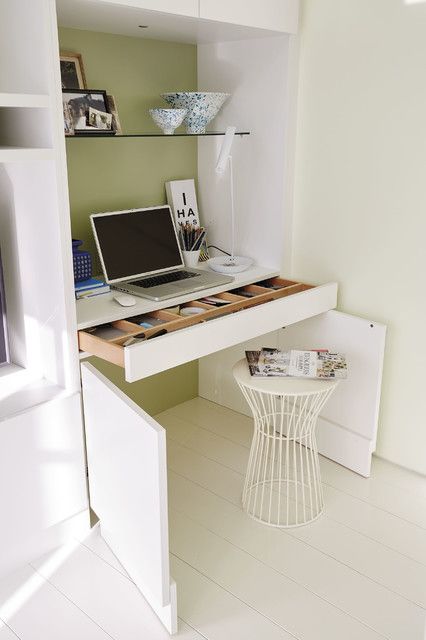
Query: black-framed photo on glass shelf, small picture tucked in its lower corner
{"points": [[86, 112]]}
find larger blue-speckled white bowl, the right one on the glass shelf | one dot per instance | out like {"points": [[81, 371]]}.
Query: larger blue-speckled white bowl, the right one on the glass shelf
{"points": [[201, 107]]}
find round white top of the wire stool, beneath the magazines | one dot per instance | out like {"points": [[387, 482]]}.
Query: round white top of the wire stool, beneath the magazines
{"points": [[280, 386]]}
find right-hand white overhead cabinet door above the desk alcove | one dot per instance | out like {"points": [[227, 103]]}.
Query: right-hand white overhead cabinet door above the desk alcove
{"points": [[277, 15]]}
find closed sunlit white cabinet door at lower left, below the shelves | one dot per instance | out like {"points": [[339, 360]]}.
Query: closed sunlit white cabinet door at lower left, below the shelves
{"points": [[43, 493]]}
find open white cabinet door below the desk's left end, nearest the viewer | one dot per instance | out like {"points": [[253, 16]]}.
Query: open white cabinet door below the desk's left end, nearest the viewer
{"points": [[126, 452]]}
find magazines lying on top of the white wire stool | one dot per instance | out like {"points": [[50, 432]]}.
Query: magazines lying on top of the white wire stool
{"points": [[322, 364]]}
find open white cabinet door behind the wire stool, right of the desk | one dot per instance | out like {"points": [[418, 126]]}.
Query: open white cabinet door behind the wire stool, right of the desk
{"points": [[347, 427]]}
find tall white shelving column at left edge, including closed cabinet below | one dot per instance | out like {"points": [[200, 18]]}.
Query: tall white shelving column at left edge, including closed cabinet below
{"points": [[43, 495]]}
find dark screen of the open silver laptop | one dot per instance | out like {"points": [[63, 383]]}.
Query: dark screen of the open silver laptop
{"points": [[136, 242]]}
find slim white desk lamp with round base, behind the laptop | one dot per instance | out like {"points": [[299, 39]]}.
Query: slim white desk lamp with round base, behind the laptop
{"points": [[229, 264]]}
